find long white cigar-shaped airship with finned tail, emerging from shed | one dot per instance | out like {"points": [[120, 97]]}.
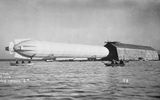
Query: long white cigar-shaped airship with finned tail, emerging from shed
{"points": [[30, 49]]}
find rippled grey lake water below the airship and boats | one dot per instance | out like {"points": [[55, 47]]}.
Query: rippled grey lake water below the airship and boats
{"points": [[80, 81]]}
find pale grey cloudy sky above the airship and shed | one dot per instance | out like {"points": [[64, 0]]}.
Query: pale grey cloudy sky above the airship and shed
{"points": [[80, 21]]}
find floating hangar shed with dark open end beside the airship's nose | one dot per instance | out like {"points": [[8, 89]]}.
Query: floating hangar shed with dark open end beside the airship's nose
{"points": [[121, 51]]}
